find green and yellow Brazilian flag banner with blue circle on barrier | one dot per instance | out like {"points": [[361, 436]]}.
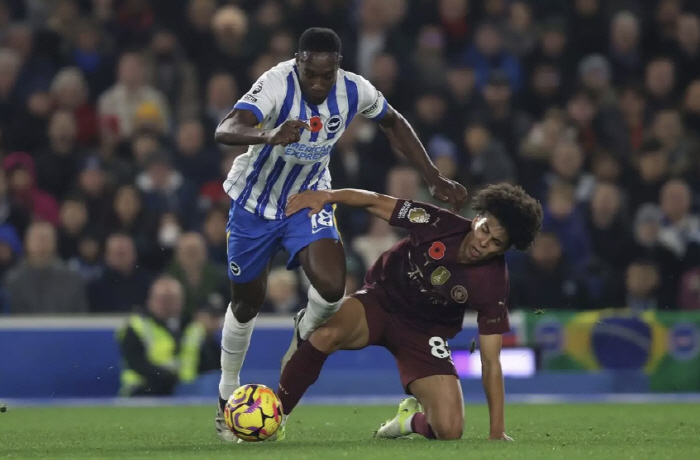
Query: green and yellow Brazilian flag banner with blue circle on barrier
{"points": [[664, 345]]}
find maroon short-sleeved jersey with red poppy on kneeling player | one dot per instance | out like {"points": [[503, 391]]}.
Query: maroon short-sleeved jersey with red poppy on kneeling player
{"points": [[421, 279]]}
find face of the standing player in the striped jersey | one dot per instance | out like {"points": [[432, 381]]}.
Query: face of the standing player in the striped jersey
{"points": [[317, 75]]}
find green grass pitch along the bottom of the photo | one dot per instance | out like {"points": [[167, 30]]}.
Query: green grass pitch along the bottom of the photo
{"points": [[612, 431]]}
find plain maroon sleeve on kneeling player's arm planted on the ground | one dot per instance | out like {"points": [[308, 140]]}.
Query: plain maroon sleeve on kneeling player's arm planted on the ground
{"points": [[492, 302]]}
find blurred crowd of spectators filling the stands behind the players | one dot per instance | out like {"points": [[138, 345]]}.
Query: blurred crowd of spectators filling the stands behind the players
{"points": [[111, 174]]}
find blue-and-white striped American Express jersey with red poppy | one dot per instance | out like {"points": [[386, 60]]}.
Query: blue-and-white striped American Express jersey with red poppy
{"points": [[264, 177]]}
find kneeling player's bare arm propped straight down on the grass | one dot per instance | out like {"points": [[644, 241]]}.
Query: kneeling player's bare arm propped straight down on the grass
{"points": [[492, 379]]}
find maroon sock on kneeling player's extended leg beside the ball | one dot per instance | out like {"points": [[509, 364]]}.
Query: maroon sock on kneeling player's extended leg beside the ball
{"points": [[301, 372]]}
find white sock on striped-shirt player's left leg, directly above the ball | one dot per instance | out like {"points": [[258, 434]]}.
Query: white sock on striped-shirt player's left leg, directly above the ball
{"points": [[235, 340]]}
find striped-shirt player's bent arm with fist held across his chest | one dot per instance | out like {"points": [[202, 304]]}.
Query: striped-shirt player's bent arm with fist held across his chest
{"points": [[240, 128]]}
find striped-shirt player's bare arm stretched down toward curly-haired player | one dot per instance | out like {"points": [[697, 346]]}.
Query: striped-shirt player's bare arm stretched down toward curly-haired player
{"points": [[404, 140]]}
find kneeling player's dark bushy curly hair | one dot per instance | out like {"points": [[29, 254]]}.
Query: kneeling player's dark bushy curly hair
{"points": [[518, 213]]}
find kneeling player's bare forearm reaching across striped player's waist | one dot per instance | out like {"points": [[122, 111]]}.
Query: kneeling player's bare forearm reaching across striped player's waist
{"points": [[380, 205]]}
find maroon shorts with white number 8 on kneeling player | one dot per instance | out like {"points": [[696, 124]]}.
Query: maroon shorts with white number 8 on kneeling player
{"points": [[418, 354]]}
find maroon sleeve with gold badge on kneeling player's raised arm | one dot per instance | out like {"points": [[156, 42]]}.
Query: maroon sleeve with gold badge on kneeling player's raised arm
{"points": [[425, 221]]}
